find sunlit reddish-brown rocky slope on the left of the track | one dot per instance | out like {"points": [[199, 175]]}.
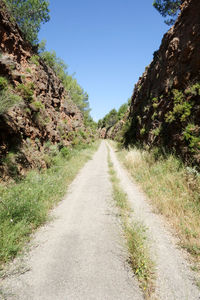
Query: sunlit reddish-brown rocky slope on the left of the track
{"points": [[45, 113]]}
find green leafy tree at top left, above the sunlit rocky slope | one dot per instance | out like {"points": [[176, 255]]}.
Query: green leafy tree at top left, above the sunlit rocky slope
{"points": [[29, 15]]}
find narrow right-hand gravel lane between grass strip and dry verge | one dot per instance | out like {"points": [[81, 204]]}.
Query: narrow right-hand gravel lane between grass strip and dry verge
{"points": [[175, 280]]}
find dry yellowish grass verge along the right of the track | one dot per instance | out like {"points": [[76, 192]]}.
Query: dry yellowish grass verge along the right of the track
{"points": [[174, 191]]}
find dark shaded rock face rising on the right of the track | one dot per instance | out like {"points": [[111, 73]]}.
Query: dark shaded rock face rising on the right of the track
{"points": [[165, 108]]}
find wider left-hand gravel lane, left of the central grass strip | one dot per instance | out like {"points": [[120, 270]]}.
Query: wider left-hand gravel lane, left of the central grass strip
{"points": [[80, 254]]}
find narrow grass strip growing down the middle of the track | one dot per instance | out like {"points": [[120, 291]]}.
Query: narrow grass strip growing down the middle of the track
{"points": [[135, 234]]}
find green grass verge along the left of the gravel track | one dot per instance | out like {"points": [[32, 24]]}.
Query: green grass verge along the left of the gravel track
{"points": [[24, 206]]}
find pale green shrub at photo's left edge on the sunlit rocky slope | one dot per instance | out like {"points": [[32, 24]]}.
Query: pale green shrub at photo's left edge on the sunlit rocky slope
{"points": [[7, 100]]}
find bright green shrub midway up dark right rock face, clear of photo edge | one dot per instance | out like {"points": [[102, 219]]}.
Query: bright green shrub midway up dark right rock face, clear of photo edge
{"points": [[182, 108]]}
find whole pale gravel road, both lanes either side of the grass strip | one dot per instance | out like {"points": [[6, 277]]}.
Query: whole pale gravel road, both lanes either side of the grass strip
{"points": [[81, 254]]}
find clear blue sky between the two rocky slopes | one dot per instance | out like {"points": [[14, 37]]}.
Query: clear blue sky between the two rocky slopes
{"points": [[106, 43]]}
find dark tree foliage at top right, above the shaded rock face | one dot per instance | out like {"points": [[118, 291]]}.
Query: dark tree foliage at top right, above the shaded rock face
{"points": [[168, 8]]}
